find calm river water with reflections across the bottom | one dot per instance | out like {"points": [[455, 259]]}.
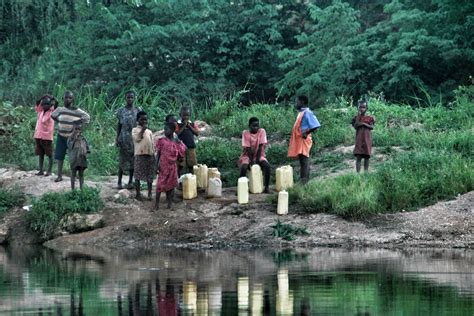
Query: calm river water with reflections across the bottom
{"points": [[84, 281]]}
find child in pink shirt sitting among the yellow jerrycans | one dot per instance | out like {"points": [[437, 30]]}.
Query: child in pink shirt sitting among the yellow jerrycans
{"points": [[254, 141]]}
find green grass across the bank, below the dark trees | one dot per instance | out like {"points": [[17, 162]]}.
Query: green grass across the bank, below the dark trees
{"points": [[437, 136]]}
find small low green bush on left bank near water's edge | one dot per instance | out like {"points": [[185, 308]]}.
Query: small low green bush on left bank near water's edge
{"points": [[47, 211]]}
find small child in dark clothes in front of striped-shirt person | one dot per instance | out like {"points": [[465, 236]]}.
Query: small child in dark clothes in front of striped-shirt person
{"points": [[78, 148]]}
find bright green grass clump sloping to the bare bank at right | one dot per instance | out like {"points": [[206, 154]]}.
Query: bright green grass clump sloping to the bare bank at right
{"points": [[410, 180]]}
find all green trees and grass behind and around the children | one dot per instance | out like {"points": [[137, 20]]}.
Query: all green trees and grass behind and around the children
{"points": [[230, 61]]}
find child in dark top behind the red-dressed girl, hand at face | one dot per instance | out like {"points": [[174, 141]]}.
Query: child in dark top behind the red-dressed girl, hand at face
{"points": [[186, 132]]}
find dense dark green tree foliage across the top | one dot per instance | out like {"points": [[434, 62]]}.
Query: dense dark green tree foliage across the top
{"points": [[410, 51]]}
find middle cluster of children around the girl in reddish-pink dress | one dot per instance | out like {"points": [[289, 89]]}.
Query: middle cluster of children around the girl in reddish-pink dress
{"points": [[168, 156]]}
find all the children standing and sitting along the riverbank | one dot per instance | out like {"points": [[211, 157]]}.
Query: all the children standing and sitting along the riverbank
{"points": [[170, 156]]}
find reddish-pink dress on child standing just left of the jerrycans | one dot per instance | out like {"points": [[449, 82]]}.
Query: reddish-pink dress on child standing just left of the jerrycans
{"points": [[169, 152]]}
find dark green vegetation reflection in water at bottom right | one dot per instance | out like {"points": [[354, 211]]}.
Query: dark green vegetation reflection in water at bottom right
{"points": [[377, 294]]}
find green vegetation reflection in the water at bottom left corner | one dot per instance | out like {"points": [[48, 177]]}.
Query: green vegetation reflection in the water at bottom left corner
{"points": [[68, 284]]}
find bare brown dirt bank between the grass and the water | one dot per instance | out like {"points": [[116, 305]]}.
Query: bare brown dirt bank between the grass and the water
{"points": [[221, 223]]}
